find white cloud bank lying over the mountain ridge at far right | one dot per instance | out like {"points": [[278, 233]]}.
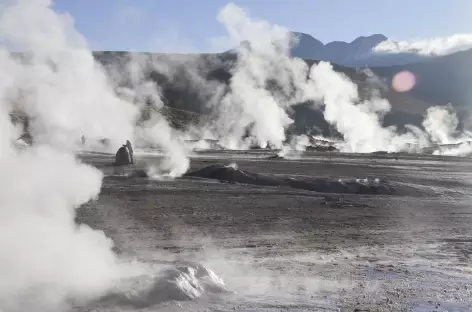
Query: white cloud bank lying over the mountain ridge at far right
{"points": [[428, 47]]}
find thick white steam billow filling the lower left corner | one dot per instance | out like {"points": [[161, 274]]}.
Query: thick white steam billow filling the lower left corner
{"points": [[45, 257]]}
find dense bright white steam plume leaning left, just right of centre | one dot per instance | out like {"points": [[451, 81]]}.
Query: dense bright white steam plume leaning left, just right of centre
{"points": [[359, 122]]}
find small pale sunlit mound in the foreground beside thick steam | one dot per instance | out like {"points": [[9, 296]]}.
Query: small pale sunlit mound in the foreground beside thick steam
{"points": [[184, 282]]}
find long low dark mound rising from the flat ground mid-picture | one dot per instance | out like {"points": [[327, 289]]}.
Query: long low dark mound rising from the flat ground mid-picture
{"points": [[356, 186]]}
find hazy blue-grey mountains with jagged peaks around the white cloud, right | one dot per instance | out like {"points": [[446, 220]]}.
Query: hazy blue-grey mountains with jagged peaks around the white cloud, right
{"points": [[439, 79]]}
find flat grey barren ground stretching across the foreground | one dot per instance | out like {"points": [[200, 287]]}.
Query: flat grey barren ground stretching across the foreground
{"points": [[279, 247]]}
